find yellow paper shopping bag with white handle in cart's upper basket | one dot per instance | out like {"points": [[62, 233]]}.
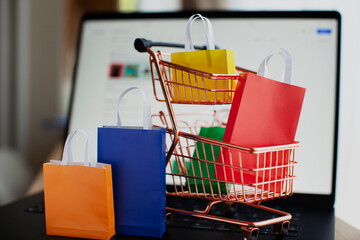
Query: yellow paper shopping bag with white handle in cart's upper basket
{"points": [[191, 88]]}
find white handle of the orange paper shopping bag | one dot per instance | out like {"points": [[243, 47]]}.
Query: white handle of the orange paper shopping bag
{"points": [[67, 158]]}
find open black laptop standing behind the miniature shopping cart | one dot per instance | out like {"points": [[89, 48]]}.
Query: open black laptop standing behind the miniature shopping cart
{"points": [[107, 64]]}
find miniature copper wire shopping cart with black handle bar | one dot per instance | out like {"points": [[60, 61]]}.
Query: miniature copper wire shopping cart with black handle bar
{"points": [[194, 163]]}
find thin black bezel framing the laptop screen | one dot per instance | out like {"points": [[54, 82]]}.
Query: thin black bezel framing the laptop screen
{"points": [[304, 199]]}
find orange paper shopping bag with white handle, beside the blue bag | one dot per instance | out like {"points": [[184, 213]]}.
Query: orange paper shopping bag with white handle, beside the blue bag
{"points": [[79, 196]]}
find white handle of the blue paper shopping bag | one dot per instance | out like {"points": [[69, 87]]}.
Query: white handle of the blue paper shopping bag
{"points": [[146, 112]]}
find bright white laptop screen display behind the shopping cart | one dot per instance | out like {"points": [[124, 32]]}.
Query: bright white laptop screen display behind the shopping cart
{"points": [[107, 64]]}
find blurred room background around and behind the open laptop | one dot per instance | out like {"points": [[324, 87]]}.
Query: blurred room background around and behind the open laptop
{"points": [[37, 53]]}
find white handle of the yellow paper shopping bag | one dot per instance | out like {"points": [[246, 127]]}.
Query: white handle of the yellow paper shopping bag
{"points": [[209, 33]]}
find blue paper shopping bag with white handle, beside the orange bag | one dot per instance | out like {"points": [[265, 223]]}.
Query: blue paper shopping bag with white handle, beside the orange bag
{"points": [[137, 156]]}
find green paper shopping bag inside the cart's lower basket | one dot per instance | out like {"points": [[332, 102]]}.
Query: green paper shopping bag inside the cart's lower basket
{"points": [[202, 169]]}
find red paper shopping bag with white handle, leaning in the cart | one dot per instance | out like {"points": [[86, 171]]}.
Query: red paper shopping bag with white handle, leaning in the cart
{"points": [[264, 113]]}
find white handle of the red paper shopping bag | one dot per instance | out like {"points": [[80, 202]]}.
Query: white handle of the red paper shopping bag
{"points": [[263, 68]]}
